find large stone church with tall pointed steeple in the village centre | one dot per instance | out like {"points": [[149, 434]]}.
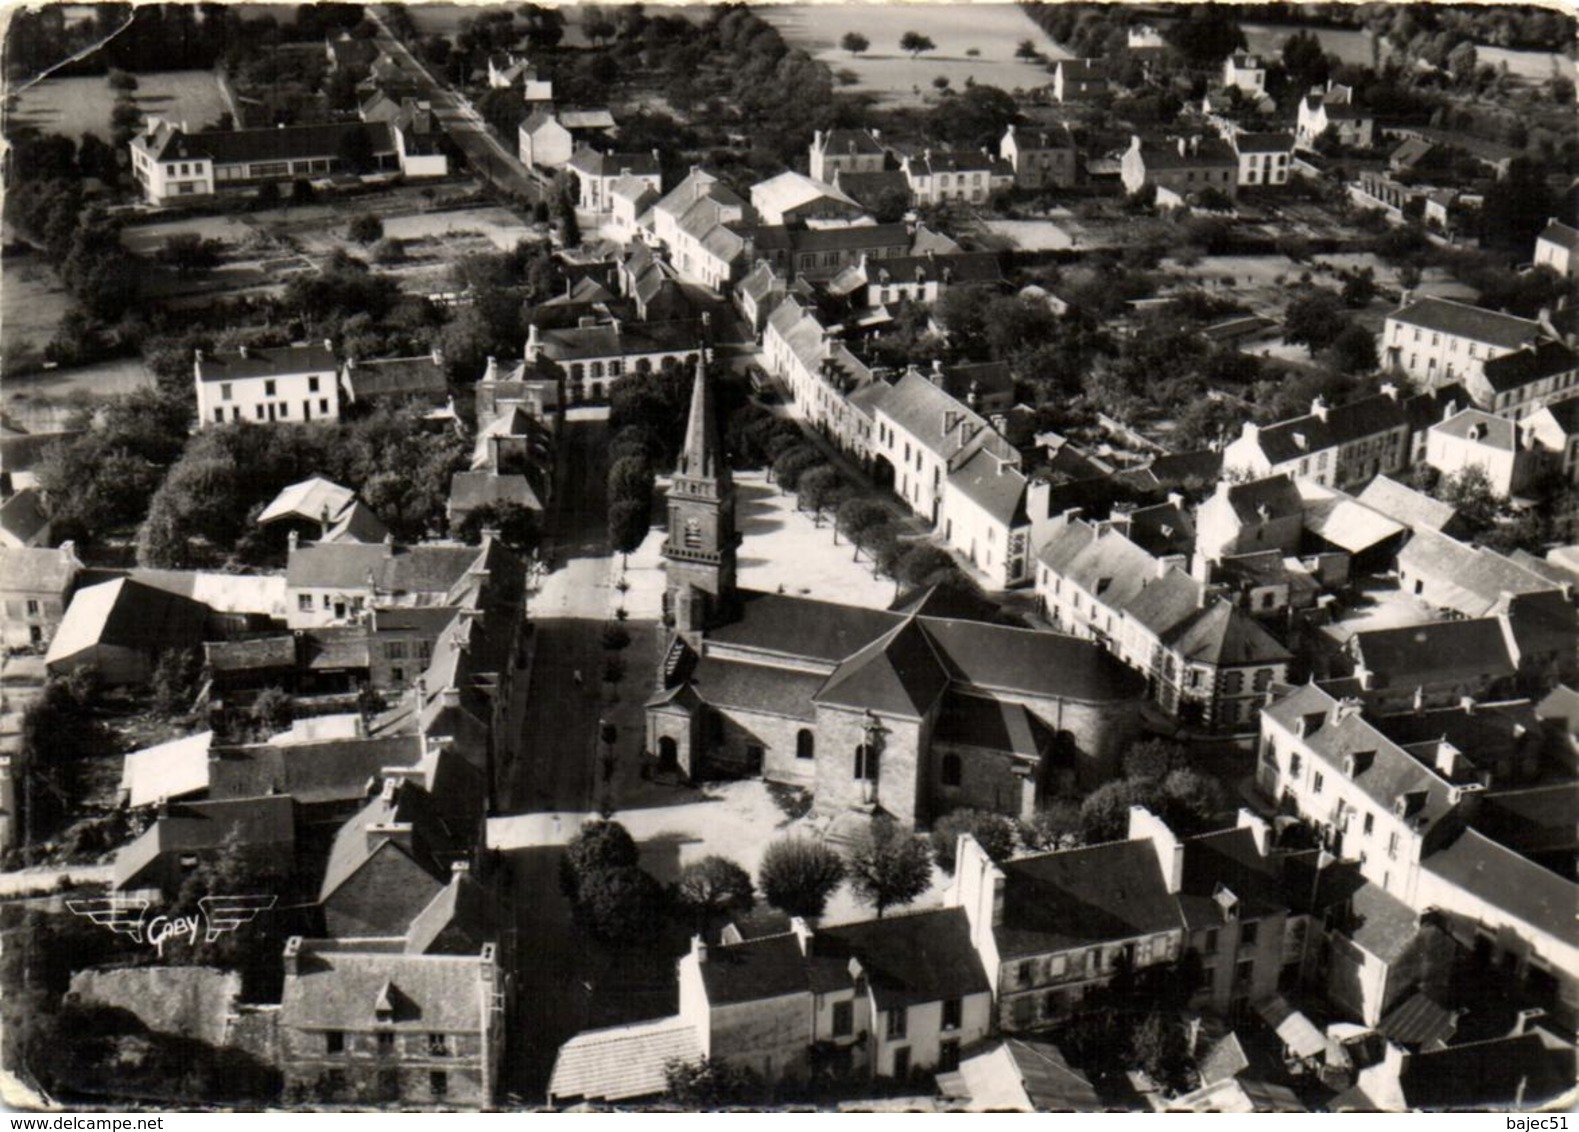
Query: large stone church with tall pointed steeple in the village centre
{"points": [[902, 711]]}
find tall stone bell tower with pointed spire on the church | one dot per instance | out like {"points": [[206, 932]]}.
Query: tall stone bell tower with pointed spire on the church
{"points": [[700, 547]]}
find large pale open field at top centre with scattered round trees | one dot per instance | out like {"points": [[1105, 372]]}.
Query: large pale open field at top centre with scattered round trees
{"points": [[992, 29]]}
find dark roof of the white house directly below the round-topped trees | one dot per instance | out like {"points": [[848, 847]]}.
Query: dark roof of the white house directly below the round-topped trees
{"points": [[920, 958]]}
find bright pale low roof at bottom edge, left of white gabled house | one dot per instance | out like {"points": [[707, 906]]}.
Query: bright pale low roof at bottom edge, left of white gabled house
{"points": [[621, 1063]]}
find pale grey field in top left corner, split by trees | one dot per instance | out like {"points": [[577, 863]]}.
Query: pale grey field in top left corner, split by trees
{"points": [[83, 105]]}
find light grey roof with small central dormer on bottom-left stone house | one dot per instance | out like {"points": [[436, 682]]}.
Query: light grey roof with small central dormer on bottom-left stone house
{"points": [[340, 989]]}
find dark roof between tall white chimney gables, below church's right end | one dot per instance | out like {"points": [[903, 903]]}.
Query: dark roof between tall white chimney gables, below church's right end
{"points": [[1081, 898]]}
